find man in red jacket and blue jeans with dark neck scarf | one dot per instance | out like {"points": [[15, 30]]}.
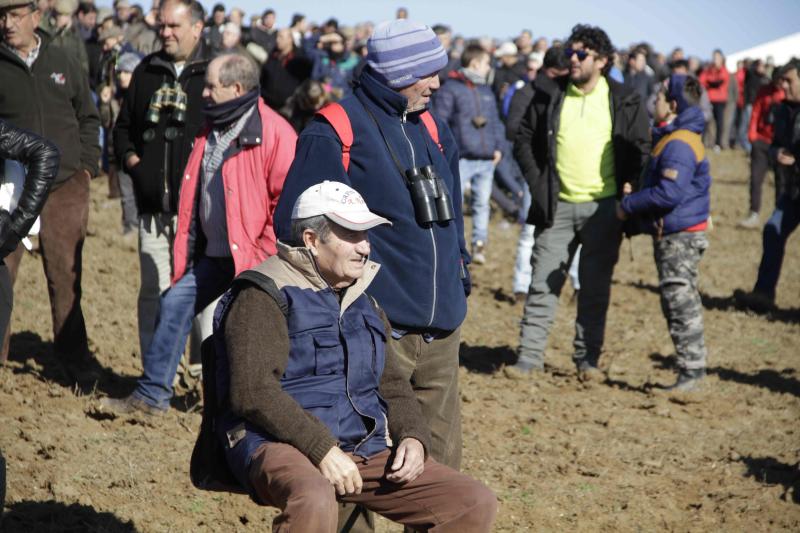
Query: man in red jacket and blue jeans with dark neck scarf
{"points": [[230, 188]]}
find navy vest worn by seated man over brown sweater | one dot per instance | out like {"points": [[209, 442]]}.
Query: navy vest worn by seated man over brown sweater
{"points": [[333, 372]]}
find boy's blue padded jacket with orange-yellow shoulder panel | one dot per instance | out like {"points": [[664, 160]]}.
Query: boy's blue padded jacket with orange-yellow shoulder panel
{"points": [[675, 192]]}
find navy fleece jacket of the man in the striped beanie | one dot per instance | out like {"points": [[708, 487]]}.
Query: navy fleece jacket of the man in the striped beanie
{"points": [[423, 281]]}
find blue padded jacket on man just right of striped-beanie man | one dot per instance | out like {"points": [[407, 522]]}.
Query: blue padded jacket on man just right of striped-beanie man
{"points": [[458, 102]]}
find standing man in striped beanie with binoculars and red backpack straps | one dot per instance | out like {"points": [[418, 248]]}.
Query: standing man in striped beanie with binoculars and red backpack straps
{"points": [[383, 142]]}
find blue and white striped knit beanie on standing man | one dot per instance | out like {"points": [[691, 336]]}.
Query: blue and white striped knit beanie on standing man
{"points": [[401, 52]]}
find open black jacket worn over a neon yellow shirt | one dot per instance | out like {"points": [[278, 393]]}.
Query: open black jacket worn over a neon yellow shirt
{"points": [[535, 144]]}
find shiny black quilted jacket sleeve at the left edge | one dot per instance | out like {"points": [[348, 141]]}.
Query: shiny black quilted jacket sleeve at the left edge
{"points": [[41, 157]]}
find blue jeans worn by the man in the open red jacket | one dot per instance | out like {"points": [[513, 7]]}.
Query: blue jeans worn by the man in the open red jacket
{"points": [[201, 285]]}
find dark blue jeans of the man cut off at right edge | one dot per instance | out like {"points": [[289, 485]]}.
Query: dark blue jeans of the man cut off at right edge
{"points": [[779, 227]]}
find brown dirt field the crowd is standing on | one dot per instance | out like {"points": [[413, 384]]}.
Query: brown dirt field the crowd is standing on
{"points": [[561, 455]]}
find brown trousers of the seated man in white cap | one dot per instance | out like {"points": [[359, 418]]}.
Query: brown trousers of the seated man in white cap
{"points": [[440, 499]]}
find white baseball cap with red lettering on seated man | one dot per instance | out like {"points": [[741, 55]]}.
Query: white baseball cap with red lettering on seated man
{"points": [[339, 203]]}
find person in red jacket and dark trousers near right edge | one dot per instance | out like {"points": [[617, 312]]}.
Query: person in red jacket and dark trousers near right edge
{"points": [[760, 135]]}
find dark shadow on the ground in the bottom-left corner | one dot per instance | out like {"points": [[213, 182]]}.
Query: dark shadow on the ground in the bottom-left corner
{"points": [[50, 516]]}
